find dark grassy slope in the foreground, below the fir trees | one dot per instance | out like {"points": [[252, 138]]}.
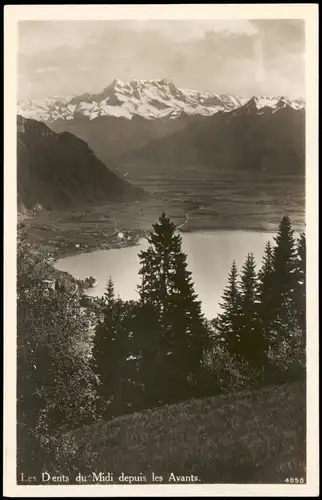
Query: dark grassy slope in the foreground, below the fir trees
{"points": [[255, 436]]}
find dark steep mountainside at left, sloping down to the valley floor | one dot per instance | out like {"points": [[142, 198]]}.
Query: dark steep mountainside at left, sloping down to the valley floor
{"points": [[60, 170]]}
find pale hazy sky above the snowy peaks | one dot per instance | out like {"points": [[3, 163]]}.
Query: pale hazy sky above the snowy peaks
{"points": [[67, 58]]}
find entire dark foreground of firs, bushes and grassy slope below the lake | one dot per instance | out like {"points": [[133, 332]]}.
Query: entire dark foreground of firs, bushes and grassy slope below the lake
{"points": [[160, 360]]}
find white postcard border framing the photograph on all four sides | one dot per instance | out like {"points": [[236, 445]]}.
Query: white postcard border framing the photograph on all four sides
{"points": [[12, 15]]}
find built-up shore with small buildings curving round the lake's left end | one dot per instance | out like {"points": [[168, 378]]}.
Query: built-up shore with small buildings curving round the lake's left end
{"points": [[45, 238]]}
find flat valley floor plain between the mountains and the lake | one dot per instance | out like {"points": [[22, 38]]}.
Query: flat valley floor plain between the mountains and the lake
{"points": [[207, 206]]}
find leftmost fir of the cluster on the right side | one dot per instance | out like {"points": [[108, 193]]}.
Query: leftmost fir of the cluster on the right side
{"points": [[228, 321]]}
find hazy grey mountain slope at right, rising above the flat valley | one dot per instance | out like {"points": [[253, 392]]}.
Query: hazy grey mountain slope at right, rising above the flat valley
{"points": [[251, 138]]}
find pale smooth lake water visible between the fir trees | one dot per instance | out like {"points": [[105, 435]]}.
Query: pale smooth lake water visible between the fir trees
{"points": [[210, 256]]}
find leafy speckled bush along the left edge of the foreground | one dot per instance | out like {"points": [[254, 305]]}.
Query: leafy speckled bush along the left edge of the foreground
{"points": [[56, 388]]}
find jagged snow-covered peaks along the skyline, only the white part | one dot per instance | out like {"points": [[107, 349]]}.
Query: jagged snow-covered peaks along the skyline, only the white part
{"points": [[149, 99]]}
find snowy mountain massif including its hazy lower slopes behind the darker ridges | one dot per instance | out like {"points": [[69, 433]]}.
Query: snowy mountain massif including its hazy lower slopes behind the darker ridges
{"points": [[128, 116]]}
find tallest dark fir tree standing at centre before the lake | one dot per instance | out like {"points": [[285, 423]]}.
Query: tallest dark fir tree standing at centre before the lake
{"points": [[181, 333]]}
